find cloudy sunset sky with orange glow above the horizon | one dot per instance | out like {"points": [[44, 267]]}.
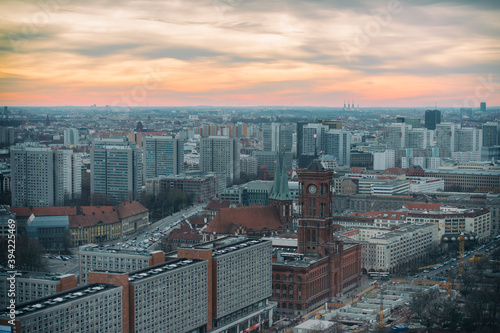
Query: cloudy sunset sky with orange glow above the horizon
{"points": [[393, 53]]}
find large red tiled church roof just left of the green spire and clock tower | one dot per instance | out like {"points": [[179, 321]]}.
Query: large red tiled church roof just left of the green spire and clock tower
{"points": [[228, 220]]}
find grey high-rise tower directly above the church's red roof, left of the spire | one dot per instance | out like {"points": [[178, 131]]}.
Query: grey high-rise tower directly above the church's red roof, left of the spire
{"points": [[221, 155]]}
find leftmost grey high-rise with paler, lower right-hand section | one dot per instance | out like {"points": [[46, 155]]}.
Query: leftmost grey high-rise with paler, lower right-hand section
{"points": [[44, 177]]}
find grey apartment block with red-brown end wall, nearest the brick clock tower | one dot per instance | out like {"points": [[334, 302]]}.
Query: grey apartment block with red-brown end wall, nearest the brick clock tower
{"points": [[240, 273]]}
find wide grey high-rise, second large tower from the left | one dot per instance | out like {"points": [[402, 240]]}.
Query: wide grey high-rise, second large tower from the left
{"points": [[116, 166]]}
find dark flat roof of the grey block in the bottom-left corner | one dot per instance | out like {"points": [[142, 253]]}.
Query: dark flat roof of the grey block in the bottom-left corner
{"points": [[67, 296]]}
